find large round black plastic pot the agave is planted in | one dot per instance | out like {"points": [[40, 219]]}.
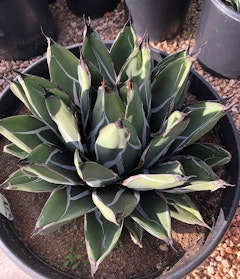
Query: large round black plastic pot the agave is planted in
{"points": [[227, 132]]}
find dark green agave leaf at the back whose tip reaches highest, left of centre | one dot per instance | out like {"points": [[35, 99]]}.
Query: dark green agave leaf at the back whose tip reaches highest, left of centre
{"points": [[96, 52]]}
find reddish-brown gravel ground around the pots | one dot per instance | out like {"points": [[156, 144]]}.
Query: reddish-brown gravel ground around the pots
{"points": [[224, 262]]}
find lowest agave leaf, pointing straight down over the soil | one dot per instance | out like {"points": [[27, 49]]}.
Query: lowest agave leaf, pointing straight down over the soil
{"points": [[101, 236]]}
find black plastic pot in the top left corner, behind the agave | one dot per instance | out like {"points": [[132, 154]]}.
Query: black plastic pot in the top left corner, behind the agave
{"points": [[22, 24]]}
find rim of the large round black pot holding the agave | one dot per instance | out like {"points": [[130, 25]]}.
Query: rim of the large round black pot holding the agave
{"points": [[40, 269]]}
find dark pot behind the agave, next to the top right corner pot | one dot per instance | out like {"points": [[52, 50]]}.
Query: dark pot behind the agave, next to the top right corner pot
{"points": [[161, 19]]}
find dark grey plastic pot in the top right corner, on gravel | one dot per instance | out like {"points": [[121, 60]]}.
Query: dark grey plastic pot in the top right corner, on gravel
{"points": [[218, 38]]}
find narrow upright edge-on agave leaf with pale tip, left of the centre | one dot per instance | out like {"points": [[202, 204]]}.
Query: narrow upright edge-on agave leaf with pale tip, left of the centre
{"points": [[84, 78]]}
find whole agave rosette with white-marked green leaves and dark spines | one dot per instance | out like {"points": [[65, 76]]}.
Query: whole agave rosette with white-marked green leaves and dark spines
{"points": [[111, 138]]}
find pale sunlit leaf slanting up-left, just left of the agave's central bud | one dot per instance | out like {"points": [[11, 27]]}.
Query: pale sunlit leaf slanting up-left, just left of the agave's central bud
{"points": [[66, 122]]}
